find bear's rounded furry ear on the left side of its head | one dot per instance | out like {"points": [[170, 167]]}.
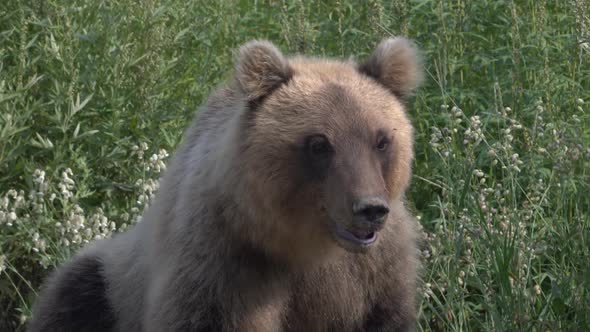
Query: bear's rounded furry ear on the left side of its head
{"points": [[261, 68]]}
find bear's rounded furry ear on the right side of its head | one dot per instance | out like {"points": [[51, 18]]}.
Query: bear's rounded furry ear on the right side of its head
{"points": [[395, 63]]}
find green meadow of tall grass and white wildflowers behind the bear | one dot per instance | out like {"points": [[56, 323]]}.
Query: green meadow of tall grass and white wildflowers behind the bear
{"points": [[94, 95]]}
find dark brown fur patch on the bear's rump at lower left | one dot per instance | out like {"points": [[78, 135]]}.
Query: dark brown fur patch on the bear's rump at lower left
{"points": [[75, 300]]}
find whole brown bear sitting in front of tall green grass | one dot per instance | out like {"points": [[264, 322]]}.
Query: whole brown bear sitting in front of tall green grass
{"points": [[282, 210]]}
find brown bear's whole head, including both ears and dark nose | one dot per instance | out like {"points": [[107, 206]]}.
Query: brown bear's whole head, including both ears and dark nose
{"points": [[325, 147]]}
